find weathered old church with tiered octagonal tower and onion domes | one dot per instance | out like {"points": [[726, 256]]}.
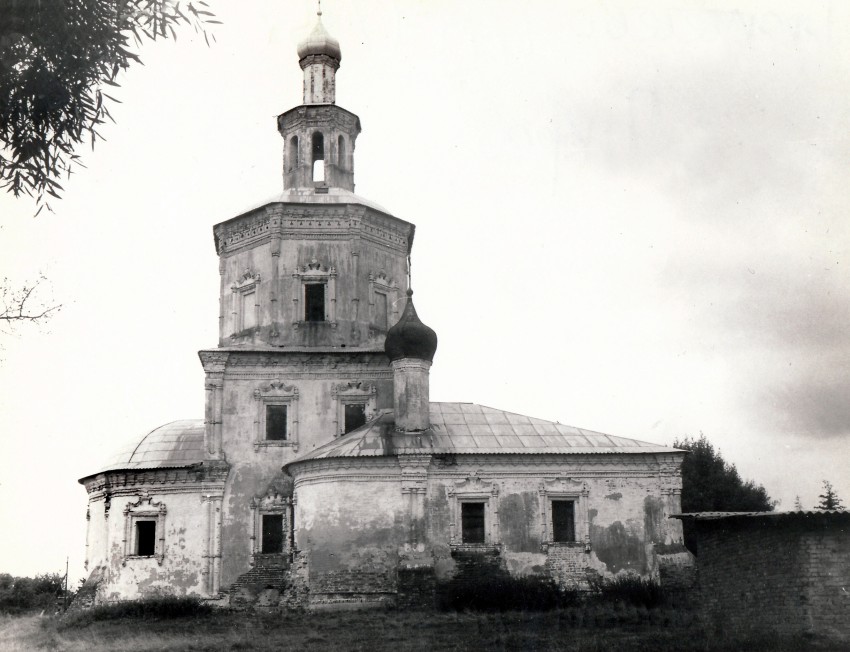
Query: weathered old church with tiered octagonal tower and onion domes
{"points": [[322, 474]]}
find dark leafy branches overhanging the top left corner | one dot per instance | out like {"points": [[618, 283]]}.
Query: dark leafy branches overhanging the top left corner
{"points": [[56, 57]]}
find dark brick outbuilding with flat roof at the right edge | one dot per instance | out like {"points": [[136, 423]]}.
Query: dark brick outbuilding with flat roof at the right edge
{"points": [[782, 572]]}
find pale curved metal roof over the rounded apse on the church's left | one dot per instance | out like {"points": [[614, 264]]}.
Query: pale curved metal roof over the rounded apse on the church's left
{"points": [[174, 445]]}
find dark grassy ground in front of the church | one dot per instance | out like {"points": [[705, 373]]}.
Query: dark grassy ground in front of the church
{"points": [[384, 631]]}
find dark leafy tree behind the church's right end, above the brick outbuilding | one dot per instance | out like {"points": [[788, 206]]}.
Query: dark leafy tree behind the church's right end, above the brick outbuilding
{"points": [[710, 484]]}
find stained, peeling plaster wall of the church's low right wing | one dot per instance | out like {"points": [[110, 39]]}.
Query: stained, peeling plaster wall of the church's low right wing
{"points": [[359, 533]]}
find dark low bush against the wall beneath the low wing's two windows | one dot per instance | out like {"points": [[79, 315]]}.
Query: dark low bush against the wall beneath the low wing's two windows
{"points": [[503, 593]]}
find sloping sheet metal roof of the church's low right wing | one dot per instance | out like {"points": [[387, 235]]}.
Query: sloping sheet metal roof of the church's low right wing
{"points": [[468, 428]]}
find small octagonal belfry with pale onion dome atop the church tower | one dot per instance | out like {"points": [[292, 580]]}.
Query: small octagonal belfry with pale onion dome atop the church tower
{"points": [[318, 136]]}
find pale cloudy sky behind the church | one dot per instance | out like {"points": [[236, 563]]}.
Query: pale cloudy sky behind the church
{"points": [[631, 217]]}
